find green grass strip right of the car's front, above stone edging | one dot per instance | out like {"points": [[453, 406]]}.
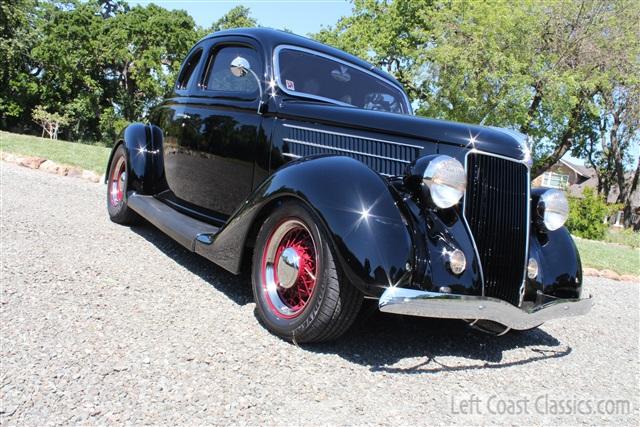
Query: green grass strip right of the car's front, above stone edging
{"points": [[601, 255]]}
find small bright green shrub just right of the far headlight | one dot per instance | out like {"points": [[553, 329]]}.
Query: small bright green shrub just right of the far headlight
{"points": [[587, 215]]}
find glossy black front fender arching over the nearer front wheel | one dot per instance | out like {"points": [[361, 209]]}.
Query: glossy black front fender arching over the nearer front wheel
{"points": [[357, 207]]}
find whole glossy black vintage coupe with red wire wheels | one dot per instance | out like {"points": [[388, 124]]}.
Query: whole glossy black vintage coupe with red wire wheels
{"points": [[306, 165]]}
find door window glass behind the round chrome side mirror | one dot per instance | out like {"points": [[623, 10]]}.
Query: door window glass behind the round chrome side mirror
{"points": [[218, 76]]}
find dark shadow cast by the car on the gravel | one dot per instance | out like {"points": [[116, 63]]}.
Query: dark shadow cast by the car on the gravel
{"points": [[382, 341]]}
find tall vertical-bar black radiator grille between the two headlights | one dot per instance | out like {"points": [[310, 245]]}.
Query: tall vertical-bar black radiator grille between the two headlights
{"points": [[496, 209]]}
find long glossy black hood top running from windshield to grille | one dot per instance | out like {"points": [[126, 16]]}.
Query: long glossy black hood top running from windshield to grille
{"points": [[494, 140]]}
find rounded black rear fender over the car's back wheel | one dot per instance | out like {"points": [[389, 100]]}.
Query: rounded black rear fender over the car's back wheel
{"points": [[143, 147]]}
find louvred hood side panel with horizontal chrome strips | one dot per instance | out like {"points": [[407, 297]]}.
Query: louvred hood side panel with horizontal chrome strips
{"points": [[385, 157]]}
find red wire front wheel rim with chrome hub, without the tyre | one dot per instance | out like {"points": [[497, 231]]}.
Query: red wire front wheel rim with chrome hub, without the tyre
{"points": [[289, 269]]}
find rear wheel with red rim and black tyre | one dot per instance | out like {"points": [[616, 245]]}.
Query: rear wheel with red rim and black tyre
{"points": [[119, 212]]}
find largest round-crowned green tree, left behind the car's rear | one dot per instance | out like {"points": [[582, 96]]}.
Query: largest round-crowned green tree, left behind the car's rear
{"points": [[100, 58]]}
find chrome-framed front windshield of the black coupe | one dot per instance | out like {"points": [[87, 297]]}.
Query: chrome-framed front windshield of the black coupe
{"points": [[304, 72]]}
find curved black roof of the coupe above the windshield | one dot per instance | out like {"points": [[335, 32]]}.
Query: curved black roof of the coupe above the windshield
{"points": [[271, 38]]}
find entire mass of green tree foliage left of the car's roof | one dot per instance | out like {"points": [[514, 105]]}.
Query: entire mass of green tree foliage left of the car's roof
{"points": [[102, 63]]}
